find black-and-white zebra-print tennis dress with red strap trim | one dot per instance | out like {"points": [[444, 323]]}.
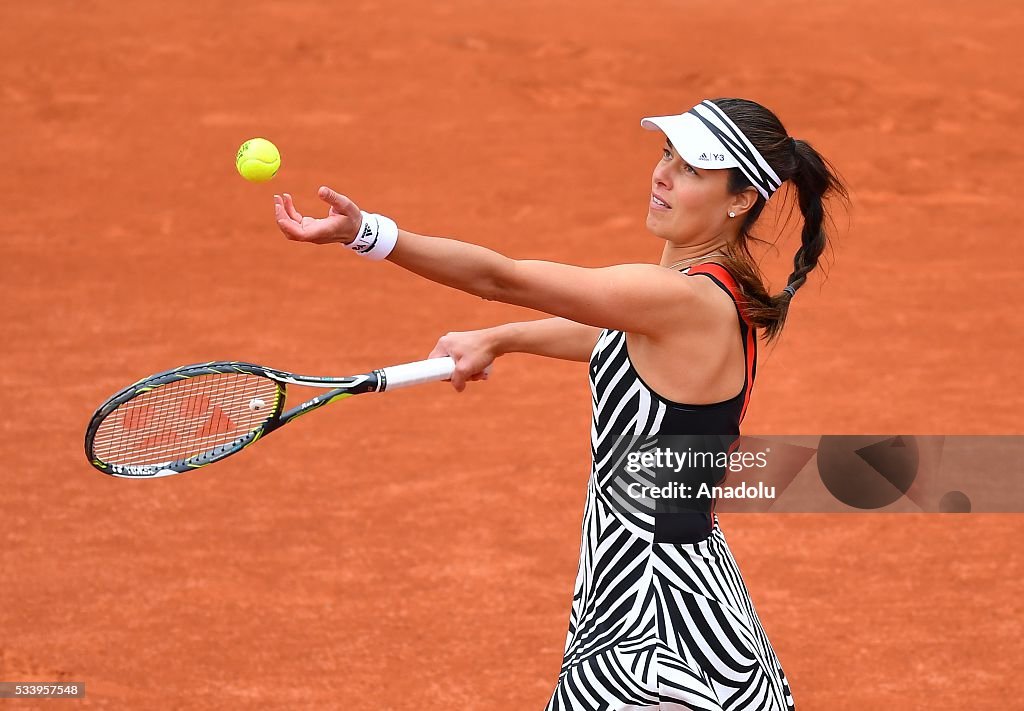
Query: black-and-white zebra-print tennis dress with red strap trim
{"points": [[661, 616]]}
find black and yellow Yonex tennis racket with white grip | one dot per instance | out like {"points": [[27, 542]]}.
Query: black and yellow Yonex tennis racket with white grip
{"points": [[193, 416]]}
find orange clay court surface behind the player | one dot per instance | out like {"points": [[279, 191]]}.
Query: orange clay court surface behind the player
{"points": [[418, 551]]}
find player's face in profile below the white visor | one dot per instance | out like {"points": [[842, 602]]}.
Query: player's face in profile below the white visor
{"points": [[688, 205]]}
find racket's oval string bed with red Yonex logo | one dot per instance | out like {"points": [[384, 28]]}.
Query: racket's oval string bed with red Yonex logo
{"points": [[186, 419]]}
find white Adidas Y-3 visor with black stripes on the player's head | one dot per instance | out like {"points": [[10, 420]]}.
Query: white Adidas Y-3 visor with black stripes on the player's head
{"points": [[706, 138]]}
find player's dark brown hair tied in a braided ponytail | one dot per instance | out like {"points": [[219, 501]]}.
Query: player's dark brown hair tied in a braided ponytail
{"points": [[816, 181]]}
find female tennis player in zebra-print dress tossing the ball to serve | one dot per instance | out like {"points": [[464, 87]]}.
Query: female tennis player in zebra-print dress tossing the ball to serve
{"points": [[661, 616]]}
